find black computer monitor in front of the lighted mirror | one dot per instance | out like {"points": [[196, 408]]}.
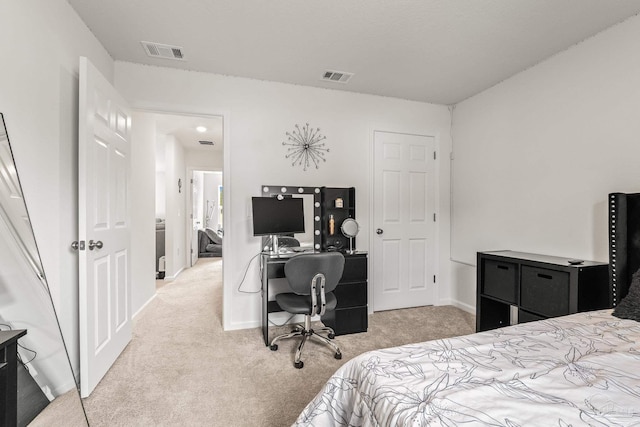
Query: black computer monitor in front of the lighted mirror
{"points": [[274, 216]]}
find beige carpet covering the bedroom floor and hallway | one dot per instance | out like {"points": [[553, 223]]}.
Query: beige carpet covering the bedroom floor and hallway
{"points": [[181, 368]]}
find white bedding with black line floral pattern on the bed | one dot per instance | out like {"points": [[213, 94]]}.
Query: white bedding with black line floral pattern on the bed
{"points": [[582, 369]]}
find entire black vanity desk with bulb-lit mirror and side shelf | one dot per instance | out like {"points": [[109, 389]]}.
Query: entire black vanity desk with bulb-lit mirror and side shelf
{"points": [[329, 225]]}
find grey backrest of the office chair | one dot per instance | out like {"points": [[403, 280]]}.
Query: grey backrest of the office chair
{"points": [[301, 269]]}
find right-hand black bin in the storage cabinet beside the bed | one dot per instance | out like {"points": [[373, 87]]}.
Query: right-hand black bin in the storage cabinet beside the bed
{"points": [[544, 291]]}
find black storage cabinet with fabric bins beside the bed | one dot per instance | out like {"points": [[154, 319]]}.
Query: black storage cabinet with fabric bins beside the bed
{"points": [[517, 287]]}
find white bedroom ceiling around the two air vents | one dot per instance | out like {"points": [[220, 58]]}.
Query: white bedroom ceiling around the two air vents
{"points": [[439, 51]]}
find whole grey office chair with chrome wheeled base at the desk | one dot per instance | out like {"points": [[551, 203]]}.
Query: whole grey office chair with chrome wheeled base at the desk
{"points": [[312, 278]]}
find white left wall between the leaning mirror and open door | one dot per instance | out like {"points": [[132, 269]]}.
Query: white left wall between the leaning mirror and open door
{"points": [[41, 41]]}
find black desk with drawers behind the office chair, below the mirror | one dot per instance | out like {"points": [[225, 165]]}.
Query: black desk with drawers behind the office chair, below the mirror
{"points": [[351, 313]]}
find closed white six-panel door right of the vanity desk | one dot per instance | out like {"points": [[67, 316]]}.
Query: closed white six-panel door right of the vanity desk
{"points": [[403, 220]]}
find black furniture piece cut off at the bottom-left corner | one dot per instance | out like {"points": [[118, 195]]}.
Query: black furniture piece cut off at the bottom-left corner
{"points": [[9, 376]]}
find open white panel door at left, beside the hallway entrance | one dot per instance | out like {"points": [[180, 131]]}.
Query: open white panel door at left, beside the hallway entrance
{"points": [[103, 200]]}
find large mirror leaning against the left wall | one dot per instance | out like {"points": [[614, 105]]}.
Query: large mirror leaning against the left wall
{"points": [[36, 379]]}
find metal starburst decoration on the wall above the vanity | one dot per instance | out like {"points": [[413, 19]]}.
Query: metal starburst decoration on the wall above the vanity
{"points": [[305, 146]]}
